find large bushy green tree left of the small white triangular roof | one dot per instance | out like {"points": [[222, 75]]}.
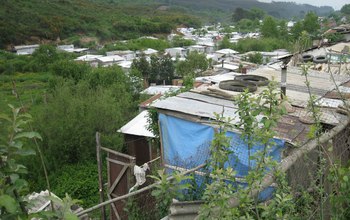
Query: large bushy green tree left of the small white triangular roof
{"points": [[103, 101]]}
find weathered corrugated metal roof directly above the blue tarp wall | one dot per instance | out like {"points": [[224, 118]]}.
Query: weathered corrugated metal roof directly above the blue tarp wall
{"points": [[203, 105]]}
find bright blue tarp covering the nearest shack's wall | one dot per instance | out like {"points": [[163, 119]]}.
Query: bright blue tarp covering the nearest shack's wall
{"points": [[187, 144]]}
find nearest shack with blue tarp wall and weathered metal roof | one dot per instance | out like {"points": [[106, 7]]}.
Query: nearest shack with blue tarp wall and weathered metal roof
{"points": [[188, 123]]}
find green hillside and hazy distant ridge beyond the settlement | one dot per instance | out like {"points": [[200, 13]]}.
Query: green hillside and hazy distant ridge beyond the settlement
{"points": [[89, 21]]}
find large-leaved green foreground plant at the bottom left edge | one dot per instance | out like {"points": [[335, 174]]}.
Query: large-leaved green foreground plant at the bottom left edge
{"points": [[14, 203]]}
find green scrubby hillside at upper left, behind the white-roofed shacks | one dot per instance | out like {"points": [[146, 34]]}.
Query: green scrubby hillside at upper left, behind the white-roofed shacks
{"points": [[37, 21]]}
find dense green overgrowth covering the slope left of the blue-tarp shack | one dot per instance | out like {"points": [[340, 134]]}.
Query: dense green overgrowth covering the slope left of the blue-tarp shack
{"points": [[69, 102]]}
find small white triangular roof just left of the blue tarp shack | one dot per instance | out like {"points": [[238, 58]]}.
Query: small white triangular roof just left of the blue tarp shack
{"points": [[138, 126]]}
